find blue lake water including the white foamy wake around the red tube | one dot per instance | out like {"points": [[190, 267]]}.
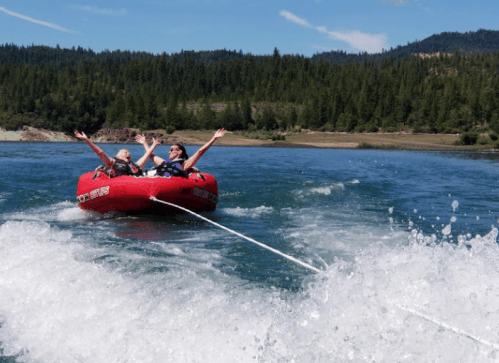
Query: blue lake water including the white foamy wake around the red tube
{"points": [[406, 241]]}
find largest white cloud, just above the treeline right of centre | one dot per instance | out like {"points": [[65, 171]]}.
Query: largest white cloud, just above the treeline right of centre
{"points": [[370, 43]]}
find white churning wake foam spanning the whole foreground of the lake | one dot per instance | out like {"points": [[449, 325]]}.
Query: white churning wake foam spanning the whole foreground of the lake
{"points": [[56, 304]]}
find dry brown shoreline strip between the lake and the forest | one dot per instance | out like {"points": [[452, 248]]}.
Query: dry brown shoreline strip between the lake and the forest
{"points": [[311, 139]]}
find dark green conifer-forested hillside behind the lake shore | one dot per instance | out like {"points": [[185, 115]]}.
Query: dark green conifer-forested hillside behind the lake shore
{"points": [[64, 90]]}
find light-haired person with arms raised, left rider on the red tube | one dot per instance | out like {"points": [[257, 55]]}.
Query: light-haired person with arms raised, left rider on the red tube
{"points": [[121, 164]]}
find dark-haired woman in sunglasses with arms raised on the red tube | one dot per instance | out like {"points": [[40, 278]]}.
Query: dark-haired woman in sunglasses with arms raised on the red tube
{"points": [[178, 162]]}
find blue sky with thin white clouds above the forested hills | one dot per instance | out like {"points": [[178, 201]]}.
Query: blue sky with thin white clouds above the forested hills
{"points": [[253, 26]]}
